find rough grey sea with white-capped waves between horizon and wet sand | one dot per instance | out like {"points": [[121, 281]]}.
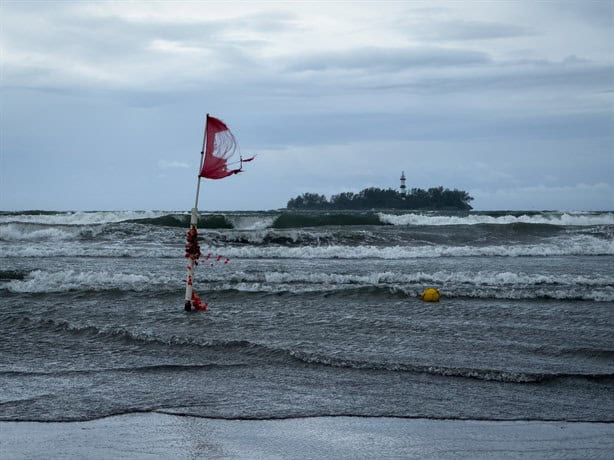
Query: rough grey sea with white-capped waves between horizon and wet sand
{"points": [[310, 314]]}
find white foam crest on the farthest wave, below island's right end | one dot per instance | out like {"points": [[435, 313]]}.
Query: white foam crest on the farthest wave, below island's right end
{"points": [[571, 219]]}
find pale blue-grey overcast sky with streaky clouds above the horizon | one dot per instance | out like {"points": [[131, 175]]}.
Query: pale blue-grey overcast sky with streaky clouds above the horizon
{"points": [[102, 104]]}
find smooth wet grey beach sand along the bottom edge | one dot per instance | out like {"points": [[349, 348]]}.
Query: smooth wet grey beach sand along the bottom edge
{"points": [[156, 435]]}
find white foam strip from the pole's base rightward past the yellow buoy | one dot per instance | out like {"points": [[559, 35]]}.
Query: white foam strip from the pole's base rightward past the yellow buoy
{"points": [[480, 284]]}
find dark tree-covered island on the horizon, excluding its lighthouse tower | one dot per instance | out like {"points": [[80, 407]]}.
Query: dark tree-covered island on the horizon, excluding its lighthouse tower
{"points": [[436, 198]]}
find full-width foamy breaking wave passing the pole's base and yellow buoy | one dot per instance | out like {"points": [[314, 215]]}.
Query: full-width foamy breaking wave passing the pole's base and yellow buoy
{"points": [[486, 285]]}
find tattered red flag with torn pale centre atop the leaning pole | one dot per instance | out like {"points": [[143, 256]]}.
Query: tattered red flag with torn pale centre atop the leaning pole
{"points": [[220, 147]]}
